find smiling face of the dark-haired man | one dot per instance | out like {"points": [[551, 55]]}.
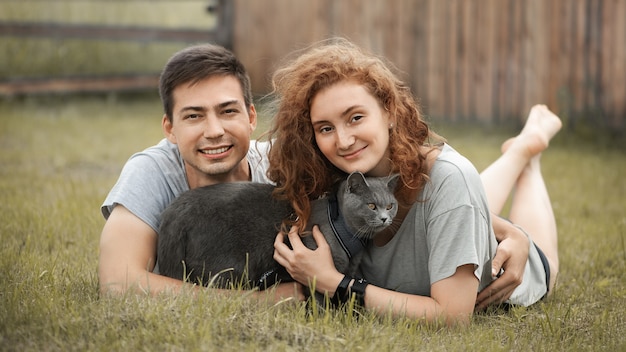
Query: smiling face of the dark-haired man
{"points": [[212, 128]]}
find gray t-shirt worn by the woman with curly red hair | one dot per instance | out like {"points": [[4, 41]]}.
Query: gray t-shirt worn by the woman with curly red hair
{"points": [[449, 226]]}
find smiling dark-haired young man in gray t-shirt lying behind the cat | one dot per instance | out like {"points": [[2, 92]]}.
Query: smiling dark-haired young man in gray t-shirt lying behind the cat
{"points": [[208, 121]]}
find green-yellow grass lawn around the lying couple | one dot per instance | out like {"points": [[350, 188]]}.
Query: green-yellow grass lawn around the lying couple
{"points": [[60, 156]]}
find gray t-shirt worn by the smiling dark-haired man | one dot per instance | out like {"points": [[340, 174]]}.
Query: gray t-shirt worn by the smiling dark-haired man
{"points": [[153, 178]]}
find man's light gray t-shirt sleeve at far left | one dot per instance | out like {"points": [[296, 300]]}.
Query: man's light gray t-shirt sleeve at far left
{"points": [[145, 187]]}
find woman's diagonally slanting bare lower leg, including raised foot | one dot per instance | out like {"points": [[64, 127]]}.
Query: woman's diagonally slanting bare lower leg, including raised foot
{"points": [[500, 178]]}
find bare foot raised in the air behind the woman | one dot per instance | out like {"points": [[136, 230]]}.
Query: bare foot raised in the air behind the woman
{"points": [[541, 126]]}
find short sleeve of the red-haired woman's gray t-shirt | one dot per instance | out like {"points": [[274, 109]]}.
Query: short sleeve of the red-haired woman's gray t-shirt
{"points": [[459, 226]]}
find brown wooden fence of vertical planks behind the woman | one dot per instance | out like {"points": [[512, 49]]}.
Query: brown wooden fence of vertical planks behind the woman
{"points": [[472, 60]]}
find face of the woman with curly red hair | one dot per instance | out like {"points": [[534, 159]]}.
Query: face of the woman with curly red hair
{"points": [[352, 129]]}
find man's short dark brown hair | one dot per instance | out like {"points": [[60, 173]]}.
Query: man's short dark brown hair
{"points": [[196, 63]]}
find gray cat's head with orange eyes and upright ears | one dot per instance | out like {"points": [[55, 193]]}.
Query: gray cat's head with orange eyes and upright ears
{"points": [[367, 203]]}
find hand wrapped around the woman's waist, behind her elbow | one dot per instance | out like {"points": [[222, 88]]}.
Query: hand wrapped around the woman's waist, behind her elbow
{"points": [[511, 256]]}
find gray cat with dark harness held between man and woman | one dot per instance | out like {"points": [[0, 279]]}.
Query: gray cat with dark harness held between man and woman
{"points": [[224, 234]]}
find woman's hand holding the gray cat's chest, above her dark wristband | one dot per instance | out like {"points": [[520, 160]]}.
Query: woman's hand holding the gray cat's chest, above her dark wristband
{"points": [[306, 266]]}
